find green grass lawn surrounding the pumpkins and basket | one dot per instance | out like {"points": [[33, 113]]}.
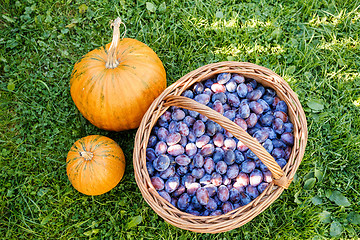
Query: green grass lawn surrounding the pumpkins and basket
{"points": [[312, 44]]}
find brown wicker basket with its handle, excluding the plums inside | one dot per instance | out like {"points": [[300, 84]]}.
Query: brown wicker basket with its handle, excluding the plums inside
{"points": [[281, 177]]}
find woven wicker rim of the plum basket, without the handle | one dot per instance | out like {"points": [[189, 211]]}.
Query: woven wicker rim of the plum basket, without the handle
{"points": [[241, 215]]}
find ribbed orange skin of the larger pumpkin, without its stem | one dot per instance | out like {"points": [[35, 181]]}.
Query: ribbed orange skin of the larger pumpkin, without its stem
{"points": [[116, 99]]}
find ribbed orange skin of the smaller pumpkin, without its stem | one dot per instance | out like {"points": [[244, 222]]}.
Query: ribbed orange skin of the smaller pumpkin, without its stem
{"points": [[100, 174]]}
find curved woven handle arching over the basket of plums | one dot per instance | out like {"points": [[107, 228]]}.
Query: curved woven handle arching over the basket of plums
{"points": [[279, 177]]}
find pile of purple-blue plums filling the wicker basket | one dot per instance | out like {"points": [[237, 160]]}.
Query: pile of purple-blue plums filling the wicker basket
{"points": [[198, 166]]}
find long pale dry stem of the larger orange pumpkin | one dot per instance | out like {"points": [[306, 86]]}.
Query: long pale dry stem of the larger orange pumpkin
{"points": [[112, 62]]}
